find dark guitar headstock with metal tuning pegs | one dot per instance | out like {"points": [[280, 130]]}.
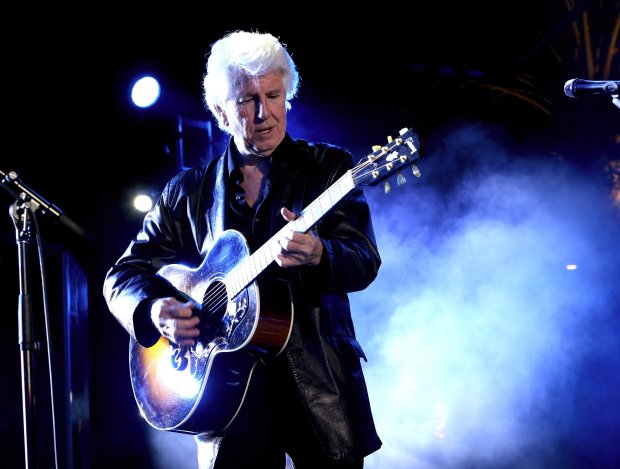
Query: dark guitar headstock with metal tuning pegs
{"points": [[388, 159]]}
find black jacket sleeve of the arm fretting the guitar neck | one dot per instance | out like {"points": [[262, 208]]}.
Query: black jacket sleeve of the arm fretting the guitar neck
{"points": [[350, 260]]}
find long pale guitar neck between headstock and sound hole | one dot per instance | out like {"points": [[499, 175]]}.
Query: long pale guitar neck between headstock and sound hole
{"points": [[249, 269]]}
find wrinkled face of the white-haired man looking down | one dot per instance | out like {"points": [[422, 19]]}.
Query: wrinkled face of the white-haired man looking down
{"points": [[256, 117]]}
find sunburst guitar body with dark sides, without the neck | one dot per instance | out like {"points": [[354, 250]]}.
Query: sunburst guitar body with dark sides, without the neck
{"points": [[201, 389]]}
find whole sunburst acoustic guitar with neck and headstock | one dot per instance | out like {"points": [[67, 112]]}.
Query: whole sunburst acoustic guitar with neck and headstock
{"points": [[200, 389]]}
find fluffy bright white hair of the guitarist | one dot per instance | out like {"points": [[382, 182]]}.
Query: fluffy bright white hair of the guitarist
{"points": [[240, 55]]}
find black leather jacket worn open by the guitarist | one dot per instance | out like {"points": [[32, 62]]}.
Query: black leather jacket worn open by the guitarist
{"points": [[322, 350]]}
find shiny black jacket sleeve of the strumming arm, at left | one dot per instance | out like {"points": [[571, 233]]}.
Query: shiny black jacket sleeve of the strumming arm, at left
{"points": [[131, 284]]}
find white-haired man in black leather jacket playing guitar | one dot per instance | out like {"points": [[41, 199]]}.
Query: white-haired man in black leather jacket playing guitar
{"points": [[307, 398]]}
